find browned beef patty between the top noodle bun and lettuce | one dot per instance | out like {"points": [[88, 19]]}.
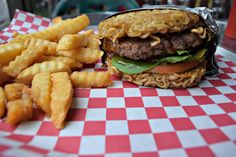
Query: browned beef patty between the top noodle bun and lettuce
{"points": [[141, 49]]}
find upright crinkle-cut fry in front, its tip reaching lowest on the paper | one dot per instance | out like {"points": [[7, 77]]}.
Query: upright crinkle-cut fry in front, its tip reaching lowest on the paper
{"points": [[62, 94]]}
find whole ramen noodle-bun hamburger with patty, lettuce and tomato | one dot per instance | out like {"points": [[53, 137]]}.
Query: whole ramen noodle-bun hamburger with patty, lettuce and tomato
{"points": [[166, 48]]}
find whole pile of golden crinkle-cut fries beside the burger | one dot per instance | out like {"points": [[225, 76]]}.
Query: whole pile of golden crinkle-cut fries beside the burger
{"points": [[42, 69]]}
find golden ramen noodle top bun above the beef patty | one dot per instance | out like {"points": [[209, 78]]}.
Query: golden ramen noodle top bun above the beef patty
{"points": [[146, 22]]}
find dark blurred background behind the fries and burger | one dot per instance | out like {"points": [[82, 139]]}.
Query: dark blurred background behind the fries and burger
{"points": [[99, 9]]}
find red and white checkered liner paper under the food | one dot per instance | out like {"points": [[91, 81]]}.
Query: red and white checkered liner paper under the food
{"points": [[126, 120]]}
